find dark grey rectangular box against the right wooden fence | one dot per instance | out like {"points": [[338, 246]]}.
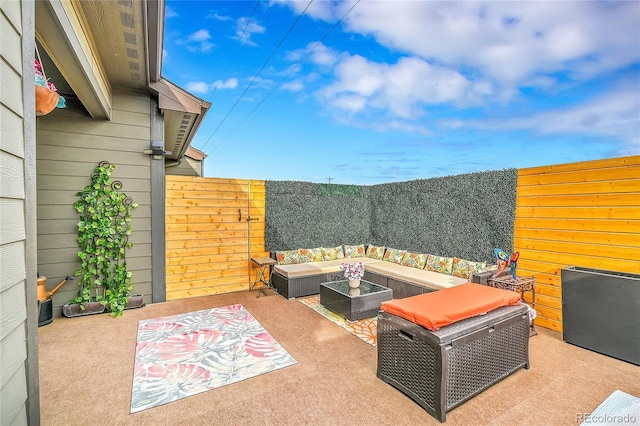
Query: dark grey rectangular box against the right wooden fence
{"points": [[601, 311]]}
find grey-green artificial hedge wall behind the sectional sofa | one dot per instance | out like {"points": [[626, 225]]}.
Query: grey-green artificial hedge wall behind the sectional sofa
{"points": [[464, 215]]}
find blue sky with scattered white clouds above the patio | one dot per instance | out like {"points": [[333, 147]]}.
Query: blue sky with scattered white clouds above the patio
{"points": [[382, 91]]}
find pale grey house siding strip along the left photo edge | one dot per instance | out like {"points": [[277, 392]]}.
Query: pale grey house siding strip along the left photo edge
{"points": [[18, 373]]}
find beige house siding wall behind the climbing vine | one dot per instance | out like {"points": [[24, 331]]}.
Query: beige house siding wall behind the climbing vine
{"points": [[70, 145]]}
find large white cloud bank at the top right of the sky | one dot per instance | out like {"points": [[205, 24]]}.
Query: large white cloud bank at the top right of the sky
{"points": [[510, 42]]}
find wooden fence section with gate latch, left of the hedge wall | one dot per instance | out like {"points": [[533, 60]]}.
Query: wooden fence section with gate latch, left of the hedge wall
{"points": [[209, 238]]}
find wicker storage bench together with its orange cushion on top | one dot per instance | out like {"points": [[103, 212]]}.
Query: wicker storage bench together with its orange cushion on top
{"points": [[443, 348]]}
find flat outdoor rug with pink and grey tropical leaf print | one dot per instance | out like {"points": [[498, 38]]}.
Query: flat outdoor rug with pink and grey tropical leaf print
{"points": [[183, 355]]}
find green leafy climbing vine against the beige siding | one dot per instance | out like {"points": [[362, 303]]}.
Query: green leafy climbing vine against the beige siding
{"points": [[104, 229]]}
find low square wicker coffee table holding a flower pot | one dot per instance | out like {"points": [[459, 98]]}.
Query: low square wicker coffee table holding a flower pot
{"points": [[354, 304]]}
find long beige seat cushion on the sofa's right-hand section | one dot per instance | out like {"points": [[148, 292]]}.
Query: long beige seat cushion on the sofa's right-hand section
{"points": [[430, 279]]}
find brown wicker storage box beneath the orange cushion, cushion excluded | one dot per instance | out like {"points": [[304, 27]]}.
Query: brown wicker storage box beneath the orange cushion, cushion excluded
{"points": [[442, 369]]}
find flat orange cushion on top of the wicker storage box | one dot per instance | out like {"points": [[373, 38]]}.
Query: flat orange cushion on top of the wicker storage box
{"points": [[443, 307]]}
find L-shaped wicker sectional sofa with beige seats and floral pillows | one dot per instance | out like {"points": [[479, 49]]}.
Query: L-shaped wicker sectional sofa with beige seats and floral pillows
{"points": [[299, 272]]}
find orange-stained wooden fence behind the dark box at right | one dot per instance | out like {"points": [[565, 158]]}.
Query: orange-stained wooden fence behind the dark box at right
{"points": [[580, 214]]}
